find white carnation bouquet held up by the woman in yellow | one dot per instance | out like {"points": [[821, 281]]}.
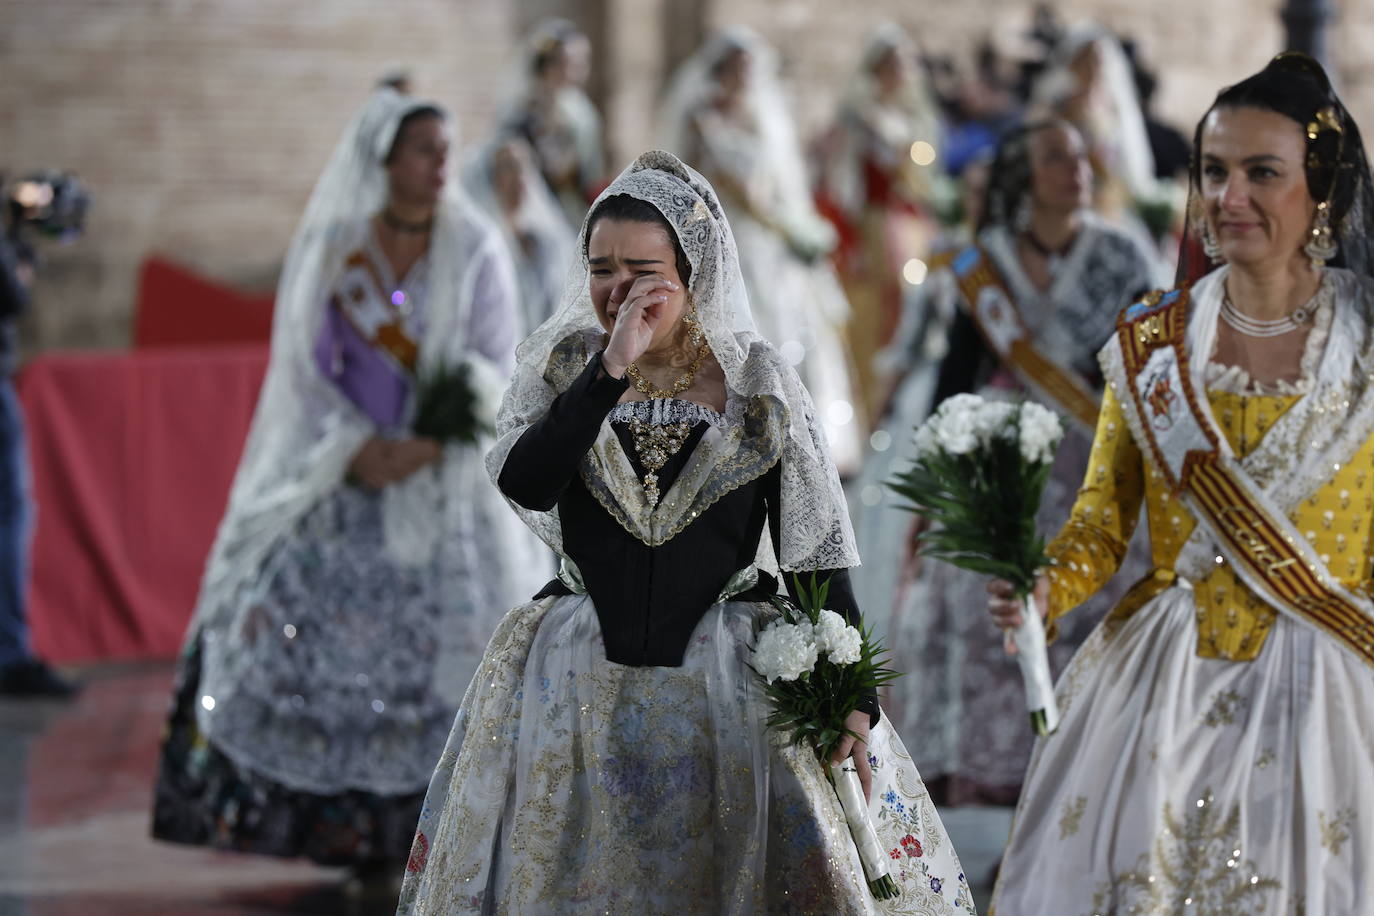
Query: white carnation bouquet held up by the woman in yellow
{"points": [[979, 474]]}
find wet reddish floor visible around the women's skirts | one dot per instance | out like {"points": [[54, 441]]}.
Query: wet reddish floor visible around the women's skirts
{"points": [[76, 783]]}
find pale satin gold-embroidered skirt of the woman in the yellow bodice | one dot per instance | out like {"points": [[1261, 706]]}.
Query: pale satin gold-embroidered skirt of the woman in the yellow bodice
{"points": [[1186, 785]]}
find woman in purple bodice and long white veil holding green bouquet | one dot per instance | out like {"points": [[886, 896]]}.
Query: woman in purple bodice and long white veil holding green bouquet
{"points": [[350, 591]]}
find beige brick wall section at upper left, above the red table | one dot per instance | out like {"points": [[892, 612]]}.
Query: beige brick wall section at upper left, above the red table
{"points": [[201, 124]]}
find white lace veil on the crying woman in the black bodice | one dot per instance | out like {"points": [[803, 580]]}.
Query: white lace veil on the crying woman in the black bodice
{"points": [[815, 531]]}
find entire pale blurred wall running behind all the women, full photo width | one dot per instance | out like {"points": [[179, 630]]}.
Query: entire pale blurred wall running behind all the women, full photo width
{"points": [[203, 124]]}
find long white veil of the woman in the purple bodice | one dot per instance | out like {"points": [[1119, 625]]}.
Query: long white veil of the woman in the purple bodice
{"points": [[306, 432]]}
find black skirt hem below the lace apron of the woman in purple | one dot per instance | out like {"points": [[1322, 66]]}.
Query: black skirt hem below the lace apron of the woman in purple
{"points": [[204, 799]]}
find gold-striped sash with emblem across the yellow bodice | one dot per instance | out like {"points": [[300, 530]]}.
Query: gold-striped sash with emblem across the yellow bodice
{"points": [[1148, 366]]}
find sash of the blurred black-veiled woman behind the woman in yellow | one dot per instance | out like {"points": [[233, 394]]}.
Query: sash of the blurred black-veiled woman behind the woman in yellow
{"points": [[998, 321]]}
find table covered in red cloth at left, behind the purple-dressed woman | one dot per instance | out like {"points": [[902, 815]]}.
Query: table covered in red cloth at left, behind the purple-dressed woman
{"points": [[134, 455]]}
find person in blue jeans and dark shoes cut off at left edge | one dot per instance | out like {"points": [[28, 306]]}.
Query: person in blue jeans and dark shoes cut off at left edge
{"points": [[23, 675]]}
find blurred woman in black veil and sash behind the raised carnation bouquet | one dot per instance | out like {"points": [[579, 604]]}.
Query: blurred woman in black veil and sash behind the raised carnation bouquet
{"points": [[1046, 273]]}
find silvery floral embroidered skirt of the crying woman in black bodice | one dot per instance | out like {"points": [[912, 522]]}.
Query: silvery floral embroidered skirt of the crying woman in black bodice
{"points": [[576, 785]]}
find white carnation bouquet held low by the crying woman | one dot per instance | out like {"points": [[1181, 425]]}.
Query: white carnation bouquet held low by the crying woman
{"points": [[818, 668]]}
